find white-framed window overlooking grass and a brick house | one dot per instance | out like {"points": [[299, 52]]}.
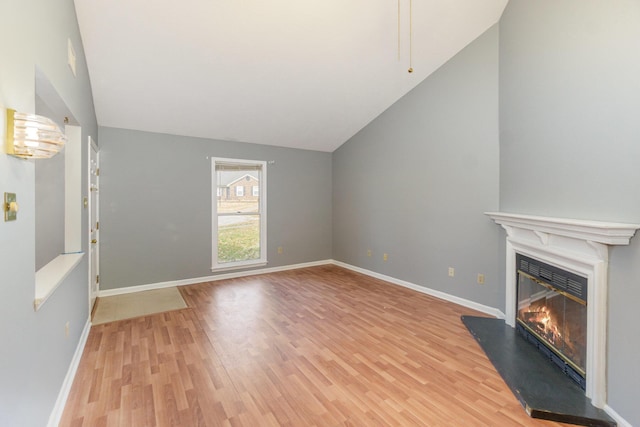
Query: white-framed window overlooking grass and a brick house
{"points": [[239, 226]]}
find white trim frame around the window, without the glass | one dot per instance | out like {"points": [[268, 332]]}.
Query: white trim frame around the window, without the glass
{"points": [[215, 266]]}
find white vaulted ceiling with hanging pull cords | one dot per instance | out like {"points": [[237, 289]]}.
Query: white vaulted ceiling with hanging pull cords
{"points": [[295, 73]]}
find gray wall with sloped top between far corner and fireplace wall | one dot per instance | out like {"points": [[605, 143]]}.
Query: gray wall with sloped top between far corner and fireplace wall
{"points": [[415, 182]]}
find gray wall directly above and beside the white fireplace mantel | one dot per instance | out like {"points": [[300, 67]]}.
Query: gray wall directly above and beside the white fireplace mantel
{"points": [[570, 141]]}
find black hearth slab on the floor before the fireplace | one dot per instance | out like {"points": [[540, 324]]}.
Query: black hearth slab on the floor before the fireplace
{"points": [[543, 390]]}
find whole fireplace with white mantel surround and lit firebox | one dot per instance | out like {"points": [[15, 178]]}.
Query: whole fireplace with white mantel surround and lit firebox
{"points": [[577, 252]]}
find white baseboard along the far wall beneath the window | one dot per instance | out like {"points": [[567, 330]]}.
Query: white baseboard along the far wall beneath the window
{"points": [[183, 282]]}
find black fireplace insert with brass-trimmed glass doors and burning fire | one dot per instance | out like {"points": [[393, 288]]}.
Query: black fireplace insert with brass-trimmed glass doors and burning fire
{"points": [[551, 313]]}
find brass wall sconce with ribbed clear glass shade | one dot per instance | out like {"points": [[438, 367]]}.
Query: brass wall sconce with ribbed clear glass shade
{"points": [[30, 136]]}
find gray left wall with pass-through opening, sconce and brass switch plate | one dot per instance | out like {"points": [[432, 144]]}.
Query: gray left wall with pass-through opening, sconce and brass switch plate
{"points": [[35, 354]]}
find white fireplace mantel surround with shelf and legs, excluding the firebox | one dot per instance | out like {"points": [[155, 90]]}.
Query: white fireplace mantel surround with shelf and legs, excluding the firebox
{"points": [[578, 246]]}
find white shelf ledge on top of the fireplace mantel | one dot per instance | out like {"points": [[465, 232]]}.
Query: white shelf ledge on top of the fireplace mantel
{"points": [[608, 233]]}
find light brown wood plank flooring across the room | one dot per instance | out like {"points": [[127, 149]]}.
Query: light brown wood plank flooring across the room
{"points": [[320, 346]]}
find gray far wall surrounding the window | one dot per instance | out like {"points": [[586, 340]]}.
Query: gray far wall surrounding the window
{"points": [[155, 213]]}
